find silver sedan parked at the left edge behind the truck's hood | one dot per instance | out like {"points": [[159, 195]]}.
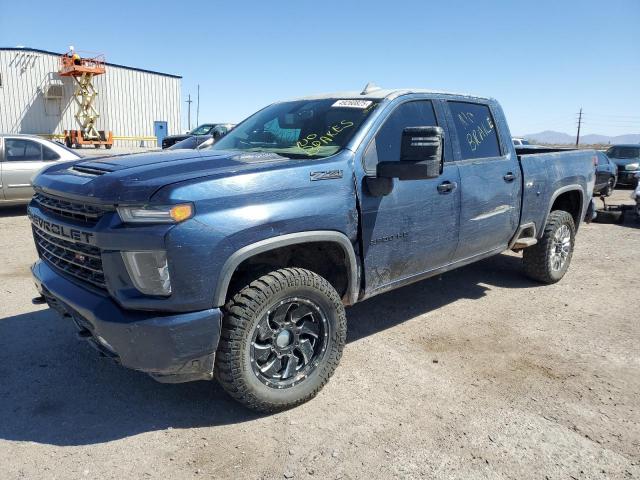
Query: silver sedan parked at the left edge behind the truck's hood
{"points": [[21, 156]]}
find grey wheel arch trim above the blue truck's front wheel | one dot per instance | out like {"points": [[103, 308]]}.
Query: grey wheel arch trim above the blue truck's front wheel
{"points": [[335, 238]]}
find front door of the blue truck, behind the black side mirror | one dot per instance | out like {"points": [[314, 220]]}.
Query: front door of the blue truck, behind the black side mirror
{"points": [[413, 229]]}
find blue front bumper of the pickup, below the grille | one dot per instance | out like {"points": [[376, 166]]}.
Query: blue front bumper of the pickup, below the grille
{"points": [[172, 348]]}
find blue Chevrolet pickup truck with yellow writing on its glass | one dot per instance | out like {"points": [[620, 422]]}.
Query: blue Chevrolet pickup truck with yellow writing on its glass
{"points": [[236, 262]]}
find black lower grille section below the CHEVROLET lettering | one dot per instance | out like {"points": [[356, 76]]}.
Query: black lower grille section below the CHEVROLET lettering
{"points": [[76, 259]]}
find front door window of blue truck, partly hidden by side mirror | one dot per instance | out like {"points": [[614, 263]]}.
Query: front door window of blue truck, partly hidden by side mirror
{"points": [[389, 137]]}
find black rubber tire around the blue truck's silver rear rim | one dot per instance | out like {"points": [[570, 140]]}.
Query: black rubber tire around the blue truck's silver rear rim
{"points": [[537, 259]]}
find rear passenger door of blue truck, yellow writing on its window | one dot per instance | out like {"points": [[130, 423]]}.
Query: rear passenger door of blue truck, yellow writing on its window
{"points": [[490, 180]]}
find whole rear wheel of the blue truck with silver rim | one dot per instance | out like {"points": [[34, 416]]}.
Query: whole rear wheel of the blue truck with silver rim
{"points": [[548, 260]]}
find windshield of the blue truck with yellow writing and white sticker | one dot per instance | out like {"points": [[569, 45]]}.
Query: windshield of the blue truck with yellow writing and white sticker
{"points": [[300, 129]]}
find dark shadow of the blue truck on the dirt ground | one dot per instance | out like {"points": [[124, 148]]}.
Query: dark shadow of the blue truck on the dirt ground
{"points": [[55, 390]]}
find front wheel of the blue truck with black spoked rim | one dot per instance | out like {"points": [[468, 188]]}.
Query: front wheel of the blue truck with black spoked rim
{"points": [[282, 338]]}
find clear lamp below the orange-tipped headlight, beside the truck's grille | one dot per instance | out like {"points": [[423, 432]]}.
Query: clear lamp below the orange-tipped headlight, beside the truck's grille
{"points": [[149, 271]]}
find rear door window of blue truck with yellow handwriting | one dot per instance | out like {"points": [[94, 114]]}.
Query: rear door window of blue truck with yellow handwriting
{"points": [[476, 130]]}
